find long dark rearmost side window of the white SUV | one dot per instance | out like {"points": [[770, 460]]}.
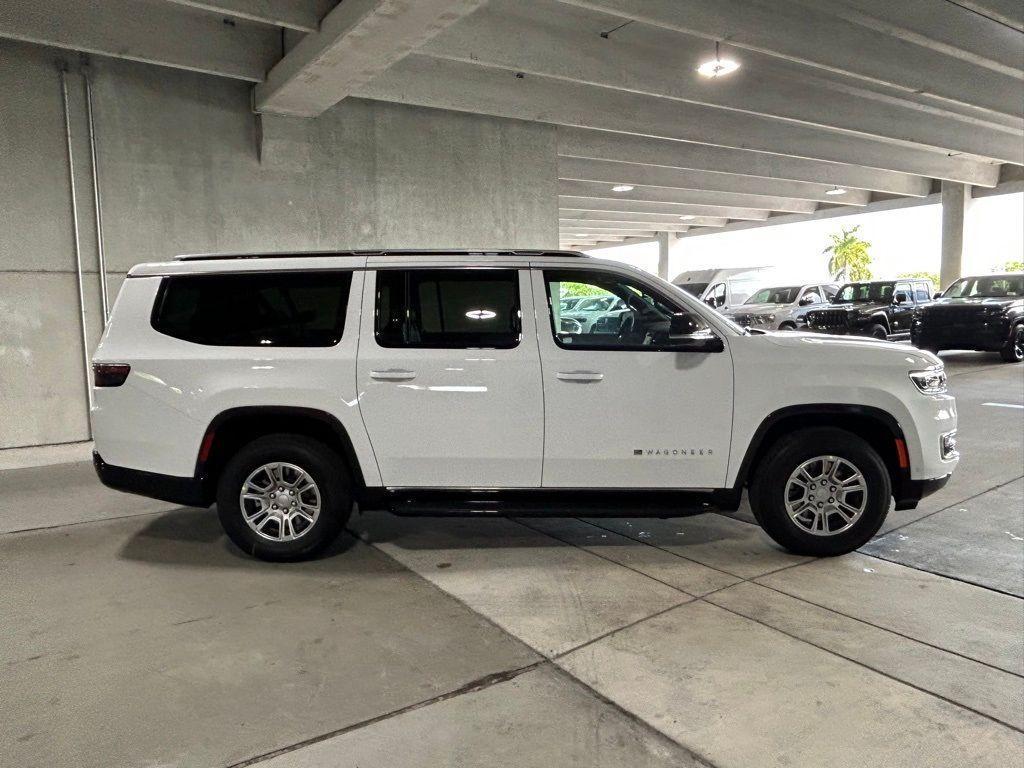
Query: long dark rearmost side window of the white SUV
{"points": [[280, 310]]}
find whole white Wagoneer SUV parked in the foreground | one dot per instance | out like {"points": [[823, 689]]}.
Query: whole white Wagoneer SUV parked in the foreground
{"points": [[288, 388]]}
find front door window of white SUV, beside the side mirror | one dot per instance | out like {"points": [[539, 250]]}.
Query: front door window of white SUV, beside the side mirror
{"points": [[638, 319]]}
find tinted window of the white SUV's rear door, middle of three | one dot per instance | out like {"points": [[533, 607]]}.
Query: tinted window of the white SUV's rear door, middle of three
{"points": [[448, 309]]}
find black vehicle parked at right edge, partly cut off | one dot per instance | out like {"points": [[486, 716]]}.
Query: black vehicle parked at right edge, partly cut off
{"points": [[985, 314]]}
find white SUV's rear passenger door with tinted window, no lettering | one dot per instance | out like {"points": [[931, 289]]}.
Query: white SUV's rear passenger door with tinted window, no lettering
{"points": [[449, 377]]}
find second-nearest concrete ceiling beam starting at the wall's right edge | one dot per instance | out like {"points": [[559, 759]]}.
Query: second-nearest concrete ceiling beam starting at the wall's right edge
{"points": [[612, 173]]}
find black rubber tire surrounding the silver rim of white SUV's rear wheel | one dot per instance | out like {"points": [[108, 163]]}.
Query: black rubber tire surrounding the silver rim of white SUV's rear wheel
{"points": [[323, 465]]}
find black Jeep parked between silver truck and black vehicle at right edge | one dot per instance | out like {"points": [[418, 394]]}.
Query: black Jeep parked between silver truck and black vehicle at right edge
{"points": [[882, 310]]}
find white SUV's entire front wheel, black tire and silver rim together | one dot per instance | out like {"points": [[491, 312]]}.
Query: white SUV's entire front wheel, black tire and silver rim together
{"points": [[822, 492]]}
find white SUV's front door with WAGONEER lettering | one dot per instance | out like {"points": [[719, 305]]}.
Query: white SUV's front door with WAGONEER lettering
{"points": [[623, 408]]}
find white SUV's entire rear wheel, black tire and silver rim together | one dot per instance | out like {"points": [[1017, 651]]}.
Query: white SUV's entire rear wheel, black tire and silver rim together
{"points": [[284, 497]]}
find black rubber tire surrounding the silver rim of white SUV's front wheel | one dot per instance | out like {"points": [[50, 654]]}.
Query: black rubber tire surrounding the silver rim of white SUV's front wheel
{"points": [[770, 488]]}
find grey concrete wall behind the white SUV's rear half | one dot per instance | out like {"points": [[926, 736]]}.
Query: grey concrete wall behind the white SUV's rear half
{"points": [[185, 166]]}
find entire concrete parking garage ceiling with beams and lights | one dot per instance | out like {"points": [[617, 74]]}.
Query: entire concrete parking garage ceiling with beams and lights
{"points": [[835, 103]]}
